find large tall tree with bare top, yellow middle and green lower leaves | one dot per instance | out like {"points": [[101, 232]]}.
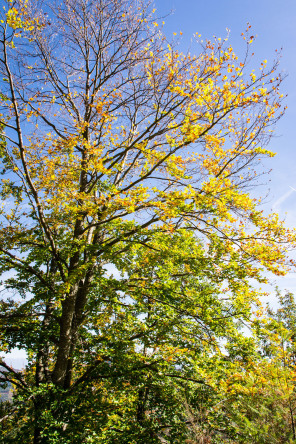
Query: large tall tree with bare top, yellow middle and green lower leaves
{"points": [[120, 151]]}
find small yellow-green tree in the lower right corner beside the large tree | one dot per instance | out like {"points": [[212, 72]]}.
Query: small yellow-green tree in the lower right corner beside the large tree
{"points": [[261, 393]]}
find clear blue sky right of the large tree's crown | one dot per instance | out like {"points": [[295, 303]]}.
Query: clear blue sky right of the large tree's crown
{"points": [[273, 24]]}
